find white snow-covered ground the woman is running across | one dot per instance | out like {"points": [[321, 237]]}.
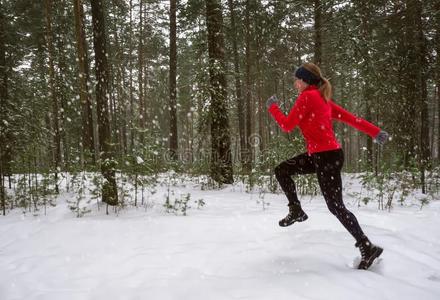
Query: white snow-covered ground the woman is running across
{"points": [[229, 249]]}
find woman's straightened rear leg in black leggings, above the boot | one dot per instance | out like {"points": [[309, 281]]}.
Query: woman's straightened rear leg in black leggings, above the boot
{"points": [[328, 168]]}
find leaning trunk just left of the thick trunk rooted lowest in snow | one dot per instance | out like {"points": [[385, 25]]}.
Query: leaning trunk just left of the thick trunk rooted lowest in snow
{"points": [[88, 141]]}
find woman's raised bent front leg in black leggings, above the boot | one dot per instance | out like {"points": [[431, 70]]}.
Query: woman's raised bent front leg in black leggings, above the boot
{"points": [[301, 164]]}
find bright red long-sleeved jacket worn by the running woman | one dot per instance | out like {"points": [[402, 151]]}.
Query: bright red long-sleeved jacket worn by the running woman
{"points": [[314, 117]]}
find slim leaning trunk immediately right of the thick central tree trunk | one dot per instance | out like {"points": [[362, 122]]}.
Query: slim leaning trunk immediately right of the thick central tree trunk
{"points": [[240, 104]]}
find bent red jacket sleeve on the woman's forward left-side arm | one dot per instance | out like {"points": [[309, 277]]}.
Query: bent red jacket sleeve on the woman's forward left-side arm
{"points": [[296, 114]]}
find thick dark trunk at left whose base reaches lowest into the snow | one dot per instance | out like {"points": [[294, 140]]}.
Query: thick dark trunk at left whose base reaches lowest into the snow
{"points": [[109, 189]]}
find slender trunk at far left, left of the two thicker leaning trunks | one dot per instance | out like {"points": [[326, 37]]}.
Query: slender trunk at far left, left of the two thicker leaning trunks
{"points": [[53, 95]]}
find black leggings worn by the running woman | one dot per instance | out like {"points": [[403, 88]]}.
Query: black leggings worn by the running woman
{"points": [[327, 165]]}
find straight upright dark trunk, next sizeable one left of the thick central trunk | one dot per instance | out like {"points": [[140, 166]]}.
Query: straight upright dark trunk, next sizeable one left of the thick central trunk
{"points": [[173, 74]]}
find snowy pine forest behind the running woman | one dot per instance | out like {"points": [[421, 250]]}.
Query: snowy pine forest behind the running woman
{"points": [[141, 87]]}
